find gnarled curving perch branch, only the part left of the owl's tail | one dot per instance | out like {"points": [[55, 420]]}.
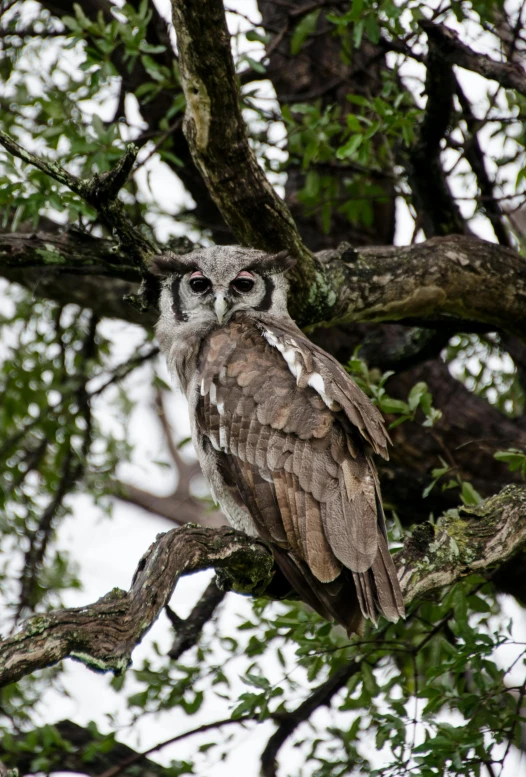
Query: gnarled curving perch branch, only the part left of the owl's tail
{"points": [[104, 634]]}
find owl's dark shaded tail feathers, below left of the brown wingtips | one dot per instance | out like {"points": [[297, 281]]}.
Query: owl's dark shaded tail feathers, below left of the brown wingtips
{"points": [[336, 601]]}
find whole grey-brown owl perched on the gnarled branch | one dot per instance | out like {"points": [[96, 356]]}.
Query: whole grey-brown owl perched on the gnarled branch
{"points": [[283, 434]]}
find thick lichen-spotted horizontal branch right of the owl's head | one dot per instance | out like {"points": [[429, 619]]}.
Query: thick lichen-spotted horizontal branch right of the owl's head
{"points": [[445, 278]]}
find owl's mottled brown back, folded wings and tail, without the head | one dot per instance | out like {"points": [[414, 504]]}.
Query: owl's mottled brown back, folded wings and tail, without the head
{"points": [[301, 471]]}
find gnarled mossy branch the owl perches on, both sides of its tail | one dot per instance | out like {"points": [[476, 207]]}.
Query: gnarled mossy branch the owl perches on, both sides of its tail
{"points": [[104, 635]]}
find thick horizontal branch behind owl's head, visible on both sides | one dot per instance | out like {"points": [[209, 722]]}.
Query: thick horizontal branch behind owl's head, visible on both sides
{"points": [[454, 278]]}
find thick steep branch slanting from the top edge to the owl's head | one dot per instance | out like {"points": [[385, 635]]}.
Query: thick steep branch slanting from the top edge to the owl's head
{"points": [[217, 136]]}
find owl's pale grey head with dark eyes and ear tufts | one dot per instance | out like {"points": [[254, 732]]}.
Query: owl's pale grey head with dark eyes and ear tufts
{"points": [[209, 285]]}
